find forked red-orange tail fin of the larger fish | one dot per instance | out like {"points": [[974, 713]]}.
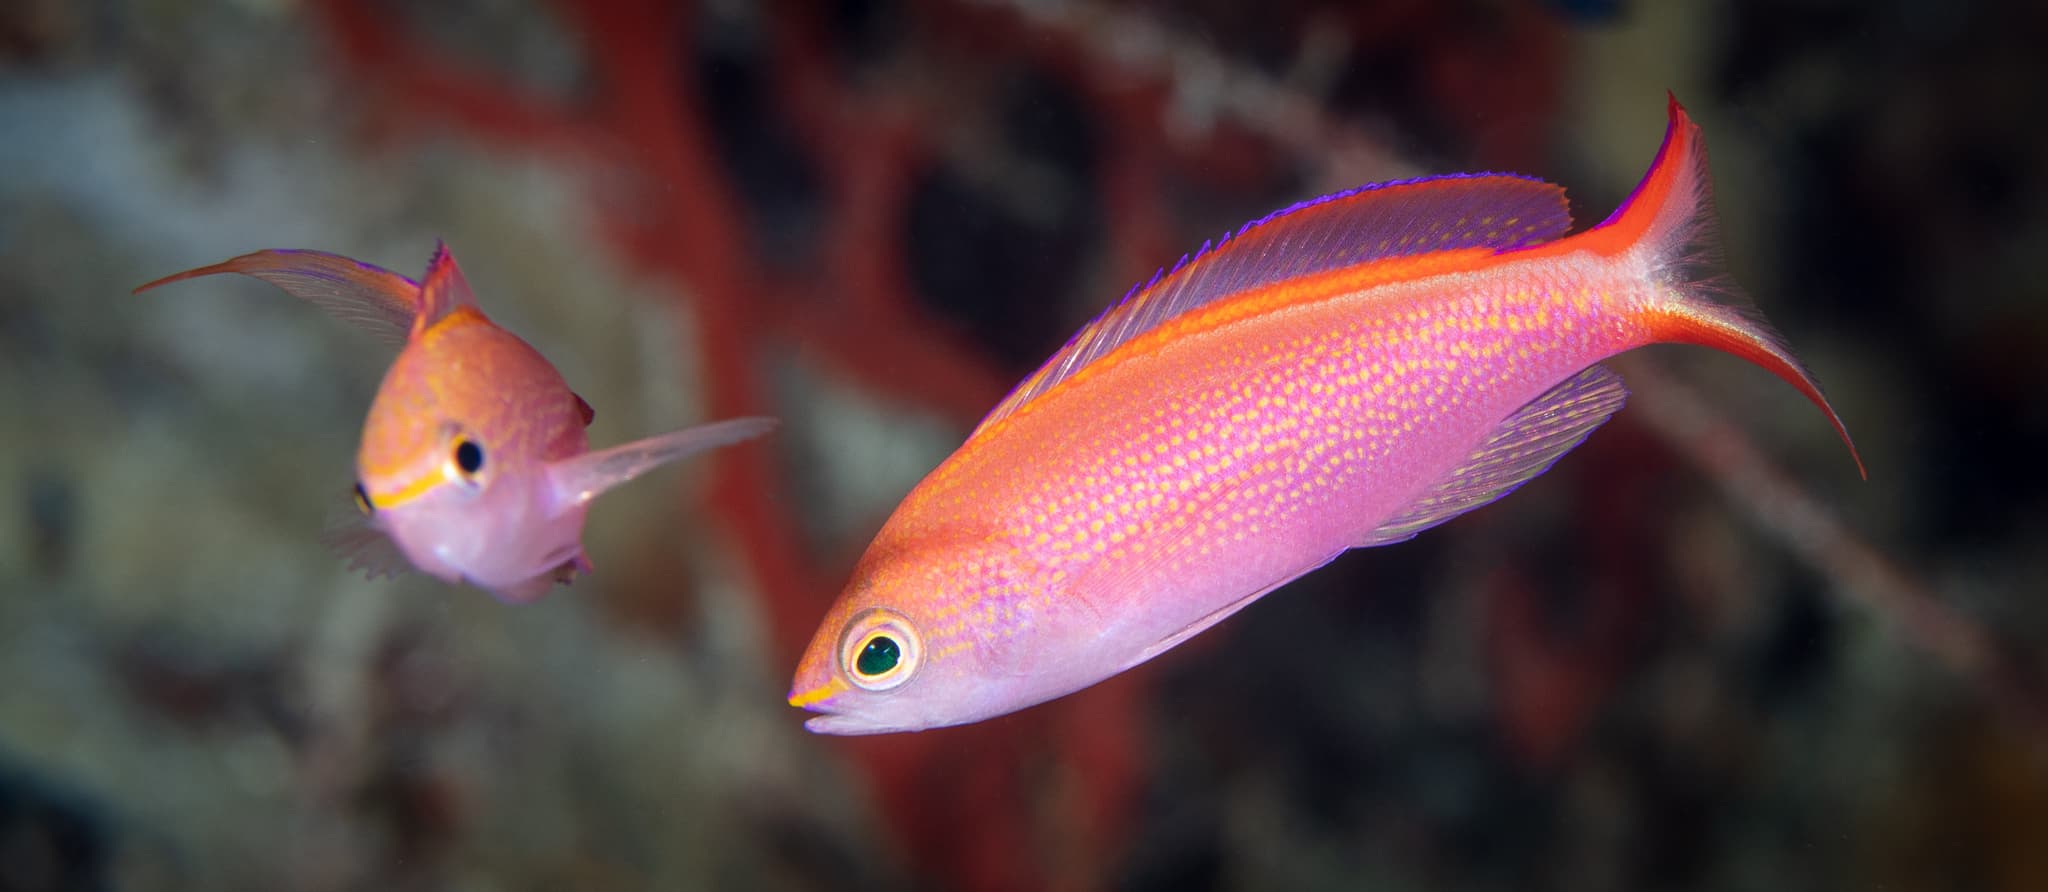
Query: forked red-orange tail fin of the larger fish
{"points": [[1668, 224]]}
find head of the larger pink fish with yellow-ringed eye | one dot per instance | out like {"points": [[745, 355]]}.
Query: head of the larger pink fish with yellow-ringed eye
{"points": [[935, 633]]}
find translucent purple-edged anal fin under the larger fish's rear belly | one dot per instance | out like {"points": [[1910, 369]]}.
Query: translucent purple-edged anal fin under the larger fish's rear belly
{"points": [[1521, 449]]}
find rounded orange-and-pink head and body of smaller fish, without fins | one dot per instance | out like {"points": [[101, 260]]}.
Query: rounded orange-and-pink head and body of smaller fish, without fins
{"points": [[454, 459]]}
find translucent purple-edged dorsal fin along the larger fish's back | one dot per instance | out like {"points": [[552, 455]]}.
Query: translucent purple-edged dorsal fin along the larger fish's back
{"points": [[1340, 230]]}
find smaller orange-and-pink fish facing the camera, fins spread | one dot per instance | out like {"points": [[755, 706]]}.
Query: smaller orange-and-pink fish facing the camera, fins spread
{"points": [[474, 459]]}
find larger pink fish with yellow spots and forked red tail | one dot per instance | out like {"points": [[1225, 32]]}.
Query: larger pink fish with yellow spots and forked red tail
{"points": [[1345, 373]]}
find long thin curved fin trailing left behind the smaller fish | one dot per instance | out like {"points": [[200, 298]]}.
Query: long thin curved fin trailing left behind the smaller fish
{"points": [[370, 298]]}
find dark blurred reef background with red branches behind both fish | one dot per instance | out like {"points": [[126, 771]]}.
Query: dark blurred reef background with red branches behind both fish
{"points": [[1699, 656]]}
